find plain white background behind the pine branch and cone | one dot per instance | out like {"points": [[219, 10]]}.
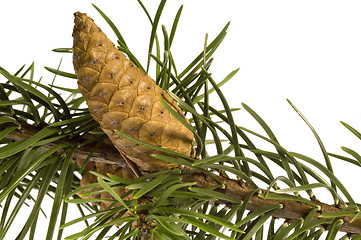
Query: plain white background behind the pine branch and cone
{"points": [[306, 51]]}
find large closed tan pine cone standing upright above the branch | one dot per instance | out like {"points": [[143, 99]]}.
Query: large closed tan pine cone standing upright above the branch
{"points": [[122, 97]]}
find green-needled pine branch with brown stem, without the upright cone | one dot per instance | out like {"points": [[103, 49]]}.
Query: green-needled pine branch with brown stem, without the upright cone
{"points": [[230, 195]]}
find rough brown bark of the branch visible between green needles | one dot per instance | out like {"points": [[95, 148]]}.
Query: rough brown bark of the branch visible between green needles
{"points": [[291, 210]]}
